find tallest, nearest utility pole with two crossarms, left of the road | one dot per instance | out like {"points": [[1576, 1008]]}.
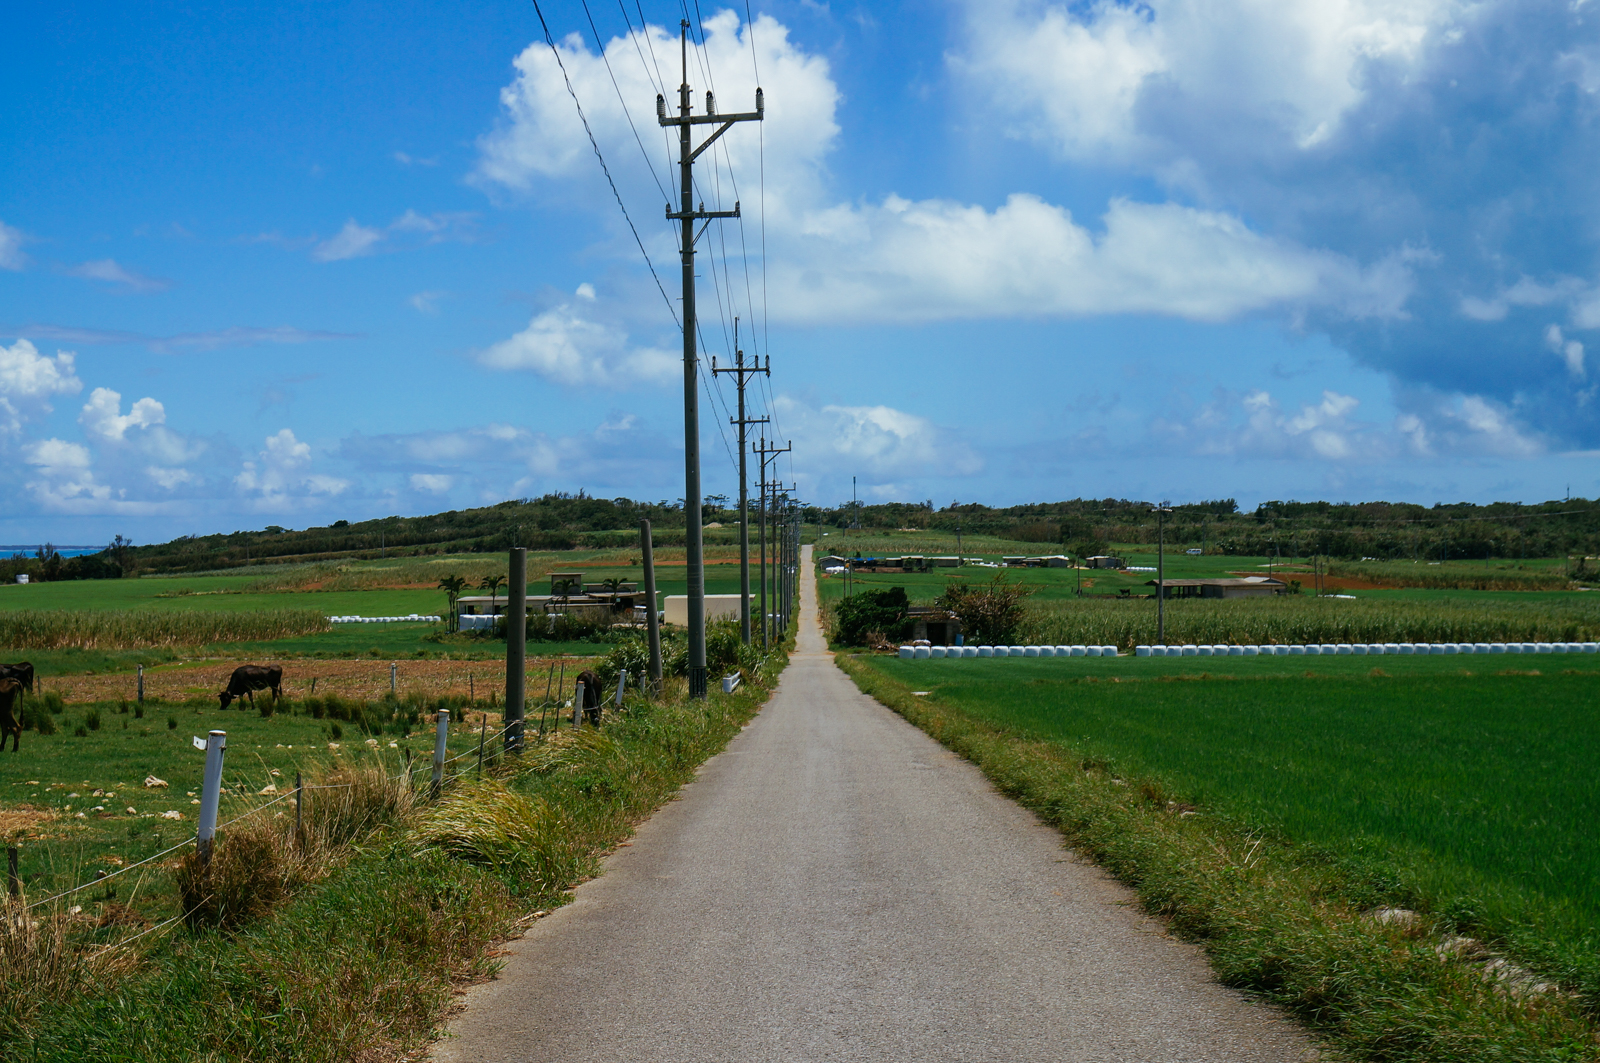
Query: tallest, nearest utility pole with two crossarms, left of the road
{"points": [[695, 550]]}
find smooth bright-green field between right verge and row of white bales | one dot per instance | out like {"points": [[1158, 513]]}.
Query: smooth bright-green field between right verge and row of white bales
{"points": [[1466, 788]]}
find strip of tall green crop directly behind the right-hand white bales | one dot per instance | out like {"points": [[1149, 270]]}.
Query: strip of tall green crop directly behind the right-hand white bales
{"points": [[1290, 620]]}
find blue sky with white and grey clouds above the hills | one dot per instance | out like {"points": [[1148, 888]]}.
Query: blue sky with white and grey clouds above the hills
{"points": [[346, 260]]}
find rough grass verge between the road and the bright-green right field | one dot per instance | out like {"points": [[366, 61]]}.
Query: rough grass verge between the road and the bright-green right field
{"points": [[1306, 931]]}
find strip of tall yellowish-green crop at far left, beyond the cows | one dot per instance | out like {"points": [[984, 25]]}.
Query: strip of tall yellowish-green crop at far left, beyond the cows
{"points": [[135, 630]]}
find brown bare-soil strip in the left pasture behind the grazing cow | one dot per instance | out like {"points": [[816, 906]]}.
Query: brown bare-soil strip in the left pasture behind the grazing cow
{"points": [[366, 680]]}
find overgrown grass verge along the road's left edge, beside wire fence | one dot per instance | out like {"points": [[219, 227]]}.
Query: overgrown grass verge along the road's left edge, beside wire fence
{"points": [[361, 963]]}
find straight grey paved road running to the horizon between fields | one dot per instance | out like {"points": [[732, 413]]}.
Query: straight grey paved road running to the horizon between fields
{"points": [[838, 886]]}
